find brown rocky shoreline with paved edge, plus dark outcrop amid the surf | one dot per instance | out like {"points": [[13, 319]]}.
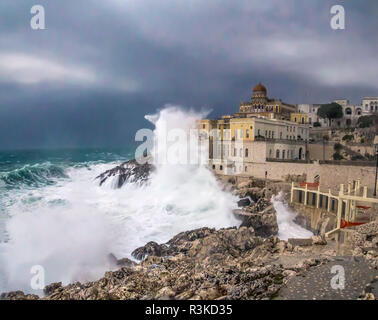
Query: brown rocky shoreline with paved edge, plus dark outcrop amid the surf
{"points": [[249, 262]]}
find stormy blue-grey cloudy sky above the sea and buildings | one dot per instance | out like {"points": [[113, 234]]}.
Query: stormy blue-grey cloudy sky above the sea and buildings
{"points": [[100, 66]]}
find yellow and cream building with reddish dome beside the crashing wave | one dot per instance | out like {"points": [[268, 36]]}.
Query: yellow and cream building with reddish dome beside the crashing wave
{"points": [[252, 136]]}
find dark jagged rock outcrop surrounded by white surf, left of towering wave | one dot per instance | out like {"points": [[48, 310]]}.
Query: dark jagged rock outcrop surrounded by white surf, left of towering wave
{"points": [[130, 171]]}
